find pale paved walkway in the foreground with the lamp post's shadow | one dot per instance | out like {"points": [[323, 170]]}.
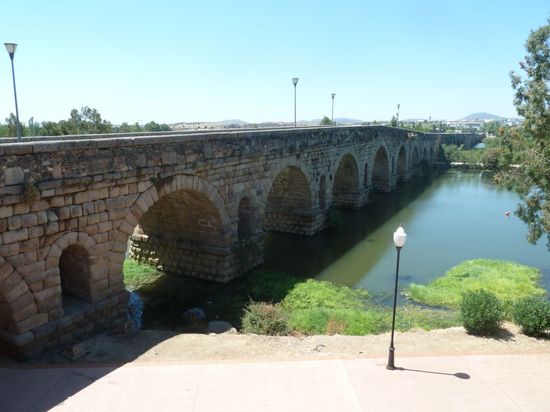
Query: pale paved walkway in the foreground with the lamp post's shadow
{"points": [[444, 383]]}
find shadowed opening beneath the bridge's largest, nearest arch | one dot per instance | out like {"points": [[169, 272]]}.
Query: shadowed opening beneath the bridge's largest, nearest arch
{"points": [[182, 233]]}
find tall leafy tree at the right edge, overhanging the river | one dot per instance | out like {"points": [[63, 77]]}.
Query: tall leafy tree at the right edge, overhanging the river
{"points": [[529, 146]]}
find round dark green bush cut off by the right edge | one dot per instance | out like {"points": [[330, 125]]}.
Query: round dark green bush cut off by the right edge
{"points": [[533, 315]]}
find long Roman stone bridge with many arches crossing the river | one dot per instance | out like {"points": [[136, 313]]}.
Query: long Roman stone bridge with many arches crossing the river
{"points": [[195, 204]]}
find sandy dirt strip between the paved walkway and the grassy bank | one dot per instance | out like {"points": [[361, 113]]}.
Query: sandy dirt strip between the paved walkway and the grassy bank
{"points": [[163, 346]]}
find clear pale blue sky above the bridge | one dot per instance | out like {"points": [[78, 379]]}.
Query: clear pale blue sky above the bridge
{"points": [[173, 61]]}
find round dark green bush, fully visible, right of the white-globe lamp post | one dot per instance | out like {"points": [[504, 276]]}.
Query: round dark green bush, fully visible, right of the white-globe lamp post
{"points": [[481, 312]]}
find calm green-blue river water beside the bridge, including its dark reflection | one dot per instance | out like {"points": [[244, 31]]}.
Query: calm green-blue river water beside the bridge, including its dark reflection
{"points": [[448, 219]]}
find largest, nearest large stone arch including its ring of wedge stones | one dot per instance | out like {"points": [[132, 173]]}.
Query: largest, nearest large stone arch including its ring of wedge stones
{"points": [[181, 224]]}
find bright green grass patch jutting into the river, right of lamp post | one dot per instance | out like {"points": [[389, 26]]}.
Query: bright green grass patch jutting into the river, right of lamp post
{"points": [[509, 281]]}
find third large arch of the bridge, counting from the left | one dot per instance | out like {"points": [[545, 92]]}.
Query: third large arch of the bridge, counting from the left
{"points": [[346, 189]]}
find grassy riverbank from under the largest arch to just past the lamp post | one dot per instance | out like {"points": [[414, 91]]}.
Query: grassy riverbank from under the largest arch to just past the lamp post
{"points": [[307, 306]]}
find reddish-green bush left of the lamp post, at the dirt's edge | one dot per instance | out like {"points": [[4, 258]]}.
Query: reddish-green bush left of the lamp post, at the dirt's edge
{"points": [[265, 319]]}
